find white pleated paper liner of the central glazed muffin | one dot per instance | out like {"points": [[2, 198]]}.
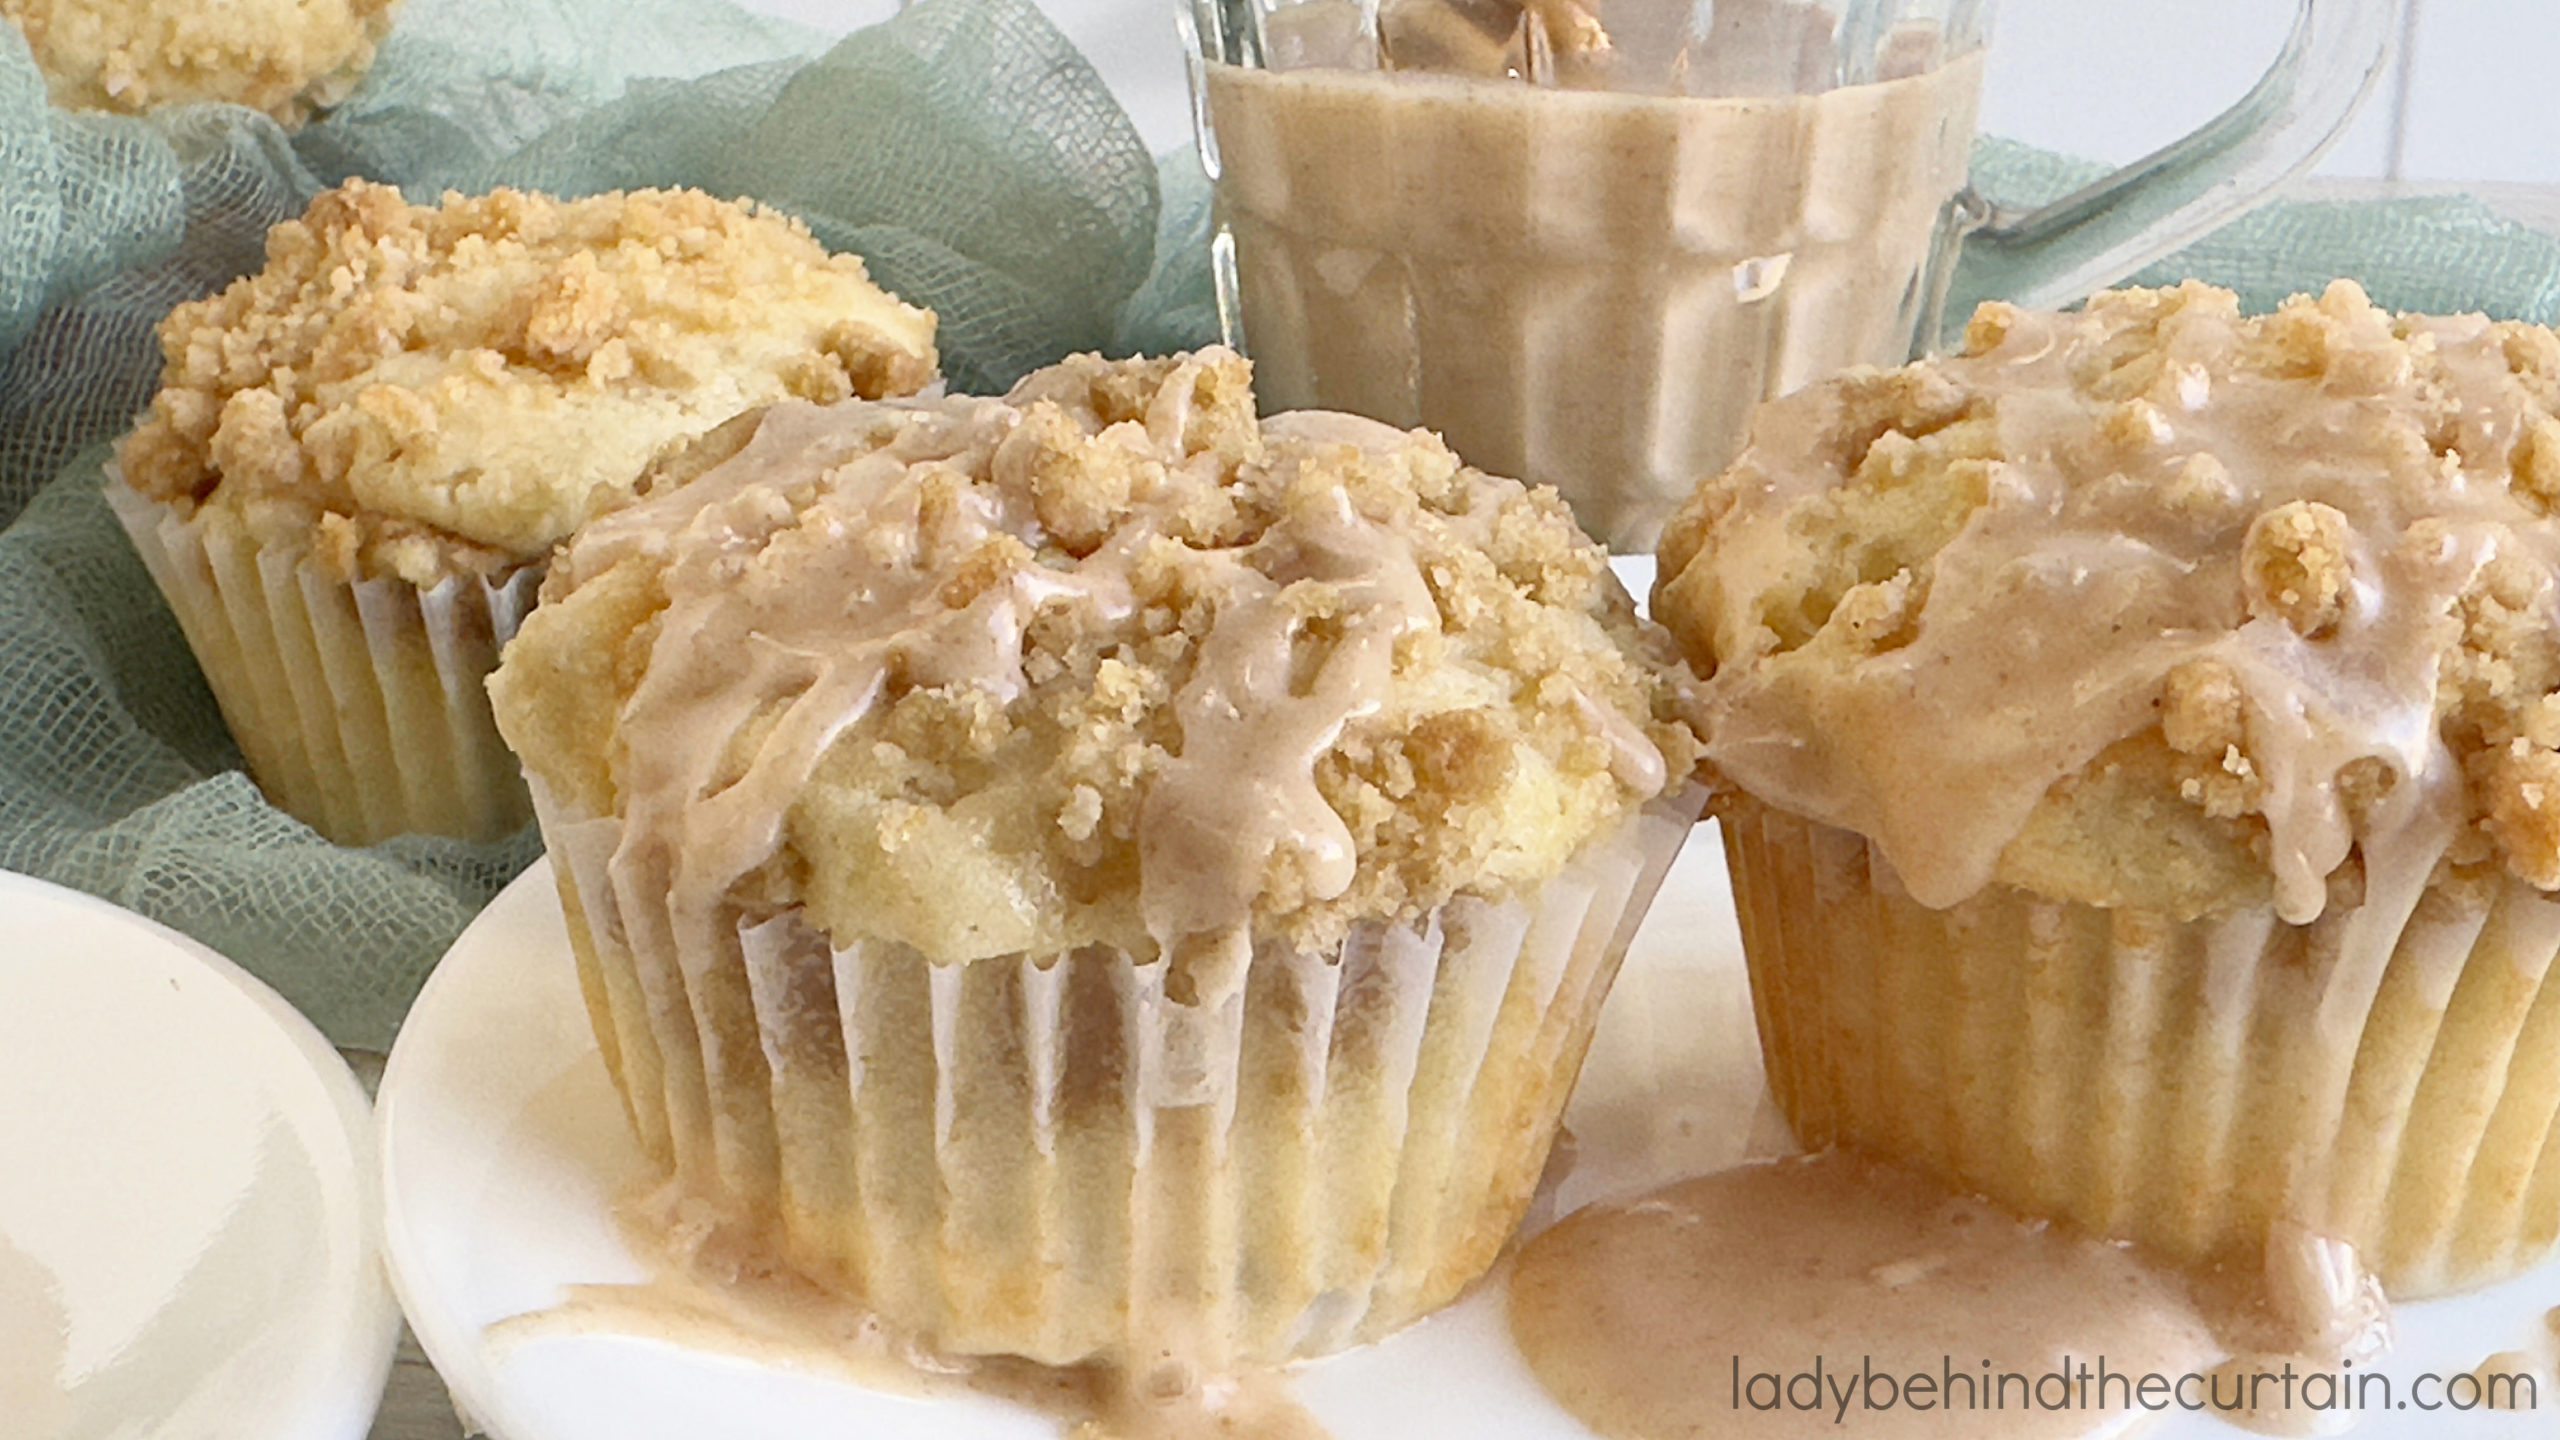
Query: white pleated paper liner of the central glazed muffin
{"points": [[1053, 1157]]}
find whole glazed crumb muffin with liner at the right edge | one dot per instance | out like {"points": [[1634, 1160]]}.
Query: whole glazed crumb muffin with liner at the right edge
{"points": [[2147, 806]]}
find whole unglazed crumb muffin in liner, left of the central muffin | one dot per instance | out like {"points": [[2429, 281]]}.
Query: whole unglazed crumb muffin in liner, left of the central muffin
{"points": [[362, 455]]}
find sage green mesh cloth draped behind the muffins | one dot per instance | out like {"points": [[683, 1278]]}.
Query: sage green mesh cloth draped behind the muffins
{"points": [[964, 147]]}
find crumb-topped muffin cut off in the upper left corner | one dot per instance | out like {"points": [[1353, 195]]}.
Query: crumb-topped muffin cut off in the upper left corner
{"points": [[285, 58]]}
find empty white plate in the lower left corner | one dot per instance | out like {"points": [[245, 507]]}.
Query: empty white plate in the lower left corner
{"points": [[188, 1195]]}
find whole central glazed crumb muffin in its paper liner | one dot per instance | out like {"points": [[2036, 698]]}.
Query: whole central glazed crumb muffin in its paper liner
{"points": [[1092, 875]]}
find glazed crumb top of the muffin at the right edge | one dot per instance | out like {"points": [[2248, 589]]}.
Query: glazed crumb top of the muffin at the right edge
{"points": [[2152, 606]]}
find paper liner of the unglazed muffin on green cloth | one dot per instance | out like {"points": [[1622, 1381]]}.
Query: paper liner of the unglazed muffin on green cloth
{"points": [[360, 706]]}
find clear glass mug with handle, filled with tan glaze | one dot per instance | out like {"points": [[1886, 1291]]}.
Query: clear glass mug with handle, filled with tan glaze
{"points": [[1583, 240]]}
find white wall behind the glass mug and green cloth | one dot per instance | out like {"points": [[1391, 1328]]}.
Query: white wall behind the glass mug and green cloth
{"points": [[2479, 96]]}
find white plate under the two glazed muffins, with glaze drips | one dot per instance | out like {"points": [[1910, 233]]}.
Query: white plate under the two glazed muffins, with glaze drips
{"points": [[506, 1152]]}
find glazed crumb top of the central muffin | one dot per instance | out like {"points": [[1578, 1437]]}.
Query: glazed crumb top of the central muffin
{"points": [[1100, 662]]}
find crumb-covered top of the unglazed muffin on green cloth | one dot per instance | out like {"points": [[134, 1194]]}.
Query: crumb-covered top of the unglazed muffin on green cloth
{"points": [[449, 391]]}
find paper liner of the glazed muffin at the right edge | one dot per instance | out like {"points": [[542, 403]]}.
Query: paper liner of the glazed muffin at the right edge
{"points": [[2387, 1075]]}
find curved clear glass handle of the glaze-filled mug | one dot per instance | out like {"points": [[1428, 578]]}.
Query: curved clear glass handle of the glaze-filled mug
{"points": [[2154, 206]]}
